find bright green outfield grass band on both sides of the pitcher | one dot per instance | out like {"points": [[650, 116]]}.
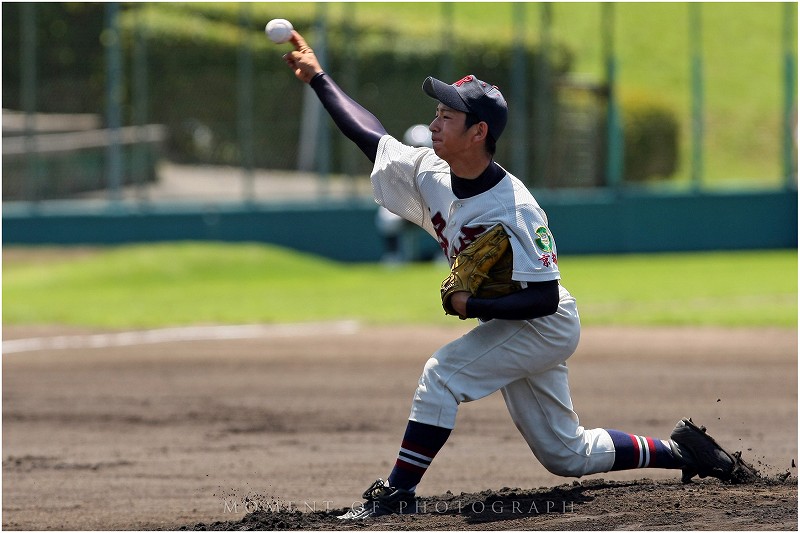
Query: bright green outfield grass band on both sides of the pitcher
{"points": [[179, 284]]}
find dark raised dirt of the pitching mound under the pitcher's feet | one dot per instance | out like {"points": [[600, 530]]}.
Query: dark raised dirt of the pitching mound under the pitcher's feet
{"points": [[767, 503]]}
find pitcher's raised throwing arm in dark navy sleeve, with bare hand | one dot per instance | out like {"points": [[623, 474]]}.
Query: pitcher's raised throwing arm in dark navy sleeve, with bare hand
{"points": [[357, 124]]}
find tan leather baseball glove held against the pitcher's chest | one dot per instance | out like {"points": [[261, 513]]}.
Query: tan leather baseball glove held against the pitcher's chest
{"points": [[483, 269]]}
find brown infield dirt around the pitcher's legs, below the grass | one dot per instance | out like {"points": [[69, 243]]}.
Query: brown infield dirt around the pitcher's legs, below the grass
{"points": [[284, 431]]}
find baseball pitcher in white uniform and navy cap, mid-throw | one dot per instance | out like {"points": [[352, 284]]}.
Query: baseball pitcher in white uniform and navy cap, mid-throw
{"points": [[522, 340]]}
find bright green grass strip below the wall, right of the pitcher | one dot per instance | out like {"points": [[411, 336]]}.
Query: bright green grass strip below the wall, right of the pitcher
{"points": [[722, 288]]}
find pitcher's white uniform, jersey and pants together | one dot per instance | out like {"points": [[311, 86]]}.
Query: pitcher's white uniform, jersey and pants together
{"points": [[524, 359]]}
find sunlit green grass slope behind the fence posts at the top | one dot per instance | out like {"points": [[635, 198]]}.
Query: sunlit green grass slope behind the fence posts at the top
{"points": [[742, 52]]}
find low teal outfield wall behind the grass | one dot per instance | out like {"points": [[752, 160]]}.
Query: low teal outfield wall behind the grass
{"points": [[582, 224]]}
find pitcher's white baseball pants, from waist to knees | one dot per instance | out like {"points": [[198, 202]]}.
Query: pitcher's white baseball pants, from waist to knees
{"points": [[526, 361]]}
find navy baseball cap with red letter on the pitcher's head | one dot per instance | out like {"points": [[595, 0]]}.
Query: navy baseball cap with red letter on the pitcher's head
{"points": [[471, 95]]}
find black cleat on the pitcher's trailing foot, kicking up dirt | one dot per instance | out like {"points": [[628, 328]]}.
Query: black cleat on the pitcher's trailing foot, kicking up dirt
{"points": [[703, 457]]}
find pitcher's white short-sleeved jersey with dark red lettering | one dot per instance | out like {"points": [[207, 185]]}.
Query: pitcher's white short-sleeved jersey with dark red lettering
{"points": [[415, 184]]}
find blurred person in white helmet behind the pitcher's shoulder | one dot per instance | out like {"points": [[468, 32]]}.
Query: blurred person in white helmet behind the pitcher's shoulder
{"points": [[397, 233]]}
